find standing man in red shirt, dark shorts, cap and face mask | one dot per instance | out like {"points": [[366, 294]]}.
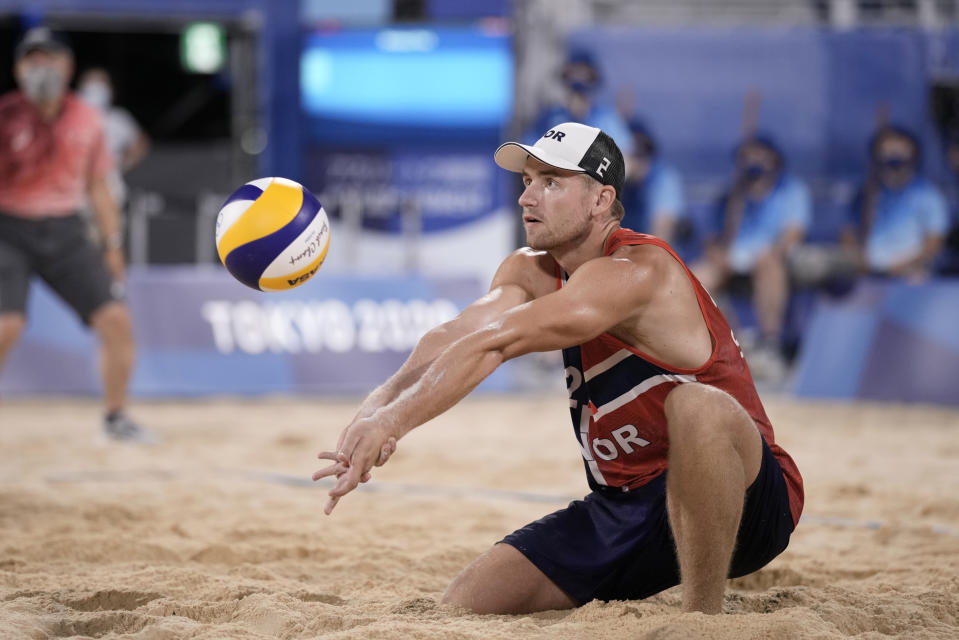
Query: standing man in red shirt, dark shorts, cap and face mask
{"points": [[53, 157]]}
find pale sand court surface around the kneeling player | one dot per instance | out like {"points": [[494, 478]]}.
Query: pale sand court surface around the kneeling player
{"points": [[217, 532]]}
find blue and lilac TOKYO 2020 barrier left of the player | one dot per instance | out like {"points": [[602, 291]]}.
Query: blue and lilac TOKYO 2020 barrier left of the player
{"points": [[201, 332]]}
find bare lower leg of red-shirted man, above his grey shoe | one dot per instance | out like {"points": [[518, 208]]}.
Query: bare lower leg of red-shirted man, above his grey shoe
{"points": [[112, 324]]}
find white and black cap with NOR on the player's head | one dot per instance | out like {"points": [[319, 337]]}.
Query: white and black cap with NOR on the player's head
{"points": [[571, 146]]}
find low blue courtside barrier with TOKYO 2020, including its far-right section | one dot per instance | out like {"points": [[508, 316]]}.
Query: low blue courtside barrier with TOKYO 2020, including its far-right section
{"points": [[200, 333]]}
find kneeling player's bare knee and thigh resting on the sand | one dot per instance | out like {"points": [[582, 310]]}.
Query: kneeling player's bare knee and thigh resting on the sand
{"points": [[504, 581]]}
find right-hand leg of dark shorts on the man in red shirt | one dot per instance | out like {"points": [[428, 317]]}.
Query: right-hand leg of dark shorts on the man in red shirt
{"points": [[75, 269]]}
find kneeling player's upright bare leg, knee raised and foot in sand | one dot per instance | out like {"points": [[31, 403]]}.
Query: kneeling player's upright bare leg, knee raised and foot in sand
{"points": [[715, 453]]}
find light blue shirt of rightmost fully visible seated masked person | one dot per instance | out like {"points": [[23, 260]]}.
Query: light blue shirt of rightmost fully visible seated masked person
{"points": [[902, 221]]}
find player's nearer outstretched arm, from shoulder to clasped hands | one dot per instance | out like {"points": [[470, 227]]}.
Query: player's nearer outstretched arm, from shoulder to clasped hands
{"points": [[599, 296]]}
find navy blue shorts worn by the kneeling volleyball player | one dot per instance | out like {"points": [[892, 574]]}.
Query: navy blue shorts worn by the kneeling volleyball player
{"points": [[619, 545]]}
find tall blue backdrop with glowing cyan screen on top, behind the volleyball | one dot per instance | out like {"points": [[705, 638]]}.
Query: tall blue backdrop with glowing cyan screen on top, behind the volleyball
{"points": [[399, 128]]}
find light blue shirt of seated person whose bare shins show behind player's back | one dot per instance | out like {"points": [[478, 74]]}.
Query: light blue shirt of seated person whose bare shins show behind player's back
{"points": [[763, 222]]}
